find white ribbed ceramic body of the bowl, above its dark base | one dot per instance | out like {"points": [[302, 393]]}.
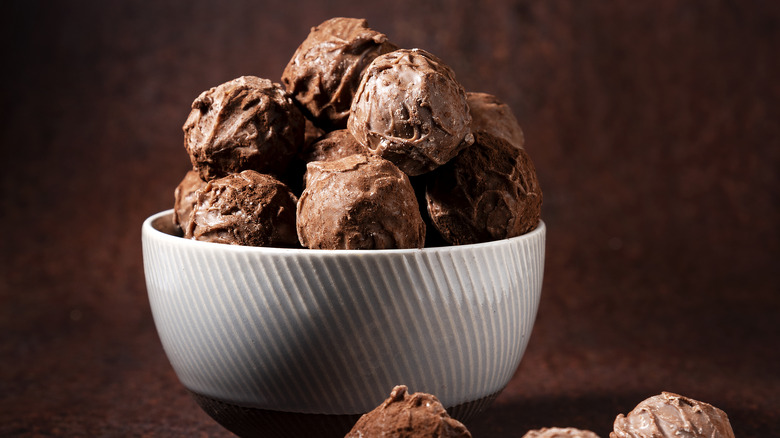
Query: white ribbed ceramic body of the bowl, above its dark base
{"points": [[329, 333]]}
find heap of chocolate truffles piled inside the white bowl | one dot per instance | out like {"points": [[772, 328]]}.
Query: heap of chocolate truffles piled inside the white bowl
{"points": [[365, 146]]}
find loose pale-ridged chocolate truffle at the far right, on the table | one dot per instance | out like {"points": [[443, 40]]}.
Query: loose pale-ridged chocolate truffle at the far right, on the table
{"points": [[670, 415]]}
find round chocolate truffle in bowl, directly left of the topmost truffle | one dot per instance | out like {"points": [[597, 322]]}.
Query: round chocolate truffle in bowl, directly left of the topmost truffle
{"points": [[248, 123]]}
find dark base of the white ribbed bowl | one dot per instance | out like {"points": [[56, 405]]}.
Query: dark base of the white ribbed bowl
{"points": [[254, 422]]}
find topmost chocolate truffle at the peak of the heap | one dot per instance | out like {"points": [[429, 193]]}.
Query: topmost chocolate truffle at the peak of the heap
{"points": [[326, 69]]}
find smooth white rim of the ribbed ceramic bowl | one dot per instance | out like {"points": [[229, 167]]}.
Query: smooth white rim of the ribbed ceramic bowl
{"points": [[148, 229]]}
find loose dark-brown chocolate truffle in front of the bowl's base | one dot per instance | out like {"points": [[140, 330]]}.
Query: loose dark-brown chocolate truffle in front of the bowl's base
{"points": [[408, 416]]}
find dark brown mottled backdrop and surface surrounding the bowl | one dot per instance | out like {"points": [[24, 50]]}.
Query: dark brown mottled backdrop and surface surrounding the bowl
{"points": [[654, 129]]}
